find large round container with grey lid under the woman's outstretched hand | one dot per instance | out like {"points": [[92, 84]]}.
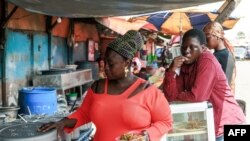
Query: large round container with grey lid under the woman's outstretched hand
{"points": [[26, 132]]}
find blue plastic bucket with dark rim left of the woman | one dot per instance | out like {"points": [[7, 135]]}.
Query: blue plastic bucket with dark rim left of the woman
{"points": [[38, 100]]}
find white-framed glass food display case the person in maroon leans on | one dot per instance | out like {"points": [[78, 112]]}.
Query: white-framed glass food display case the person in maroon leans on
{"points": [[192, 121]]}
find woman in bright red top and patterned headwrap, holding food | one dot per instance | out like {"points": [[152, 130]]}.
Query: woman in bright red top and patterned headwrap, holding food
{"points": [[122, 102]]}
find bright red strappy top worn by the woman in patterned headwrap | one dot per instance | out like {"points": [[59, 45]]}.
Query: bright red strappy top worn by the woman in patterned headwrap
{"points": [[114, 115]]}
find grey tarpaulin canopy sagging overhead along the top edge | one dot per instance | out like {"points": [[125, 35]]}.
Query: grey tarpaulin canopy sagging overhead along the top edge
{"points": [[101, 8]]}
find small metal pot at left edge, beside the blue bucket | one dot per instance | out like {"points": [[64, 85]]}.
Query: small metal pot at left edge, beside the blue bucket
{"points": [[8, 113]]}
